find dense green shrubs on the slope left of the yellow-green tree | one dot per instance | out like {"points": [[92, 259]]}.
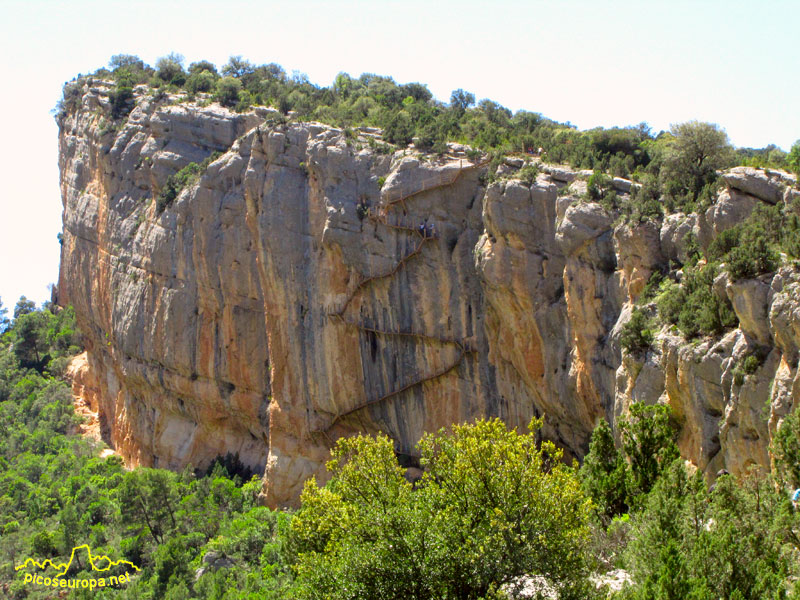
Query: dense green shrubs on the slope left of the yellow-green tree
{"points": [[56, 494]]}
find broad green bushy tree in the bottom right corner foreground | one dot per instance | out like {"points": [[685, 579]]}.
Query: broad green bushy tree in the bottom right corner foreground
{"points": [[689, 543]]}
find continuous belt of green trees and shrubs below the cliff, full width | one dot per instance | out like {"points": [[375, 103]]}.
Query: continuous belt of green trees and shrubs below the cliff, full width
{"points": [[492, 505]]}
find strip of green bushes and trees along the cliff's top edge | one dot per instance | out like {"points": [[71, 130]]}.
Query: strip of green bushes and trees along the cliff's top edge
{"points": [[681, 163]]}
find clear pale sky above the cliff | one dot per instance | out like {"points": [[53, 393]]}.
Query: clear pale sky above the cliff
{"points": [[592, 63]]}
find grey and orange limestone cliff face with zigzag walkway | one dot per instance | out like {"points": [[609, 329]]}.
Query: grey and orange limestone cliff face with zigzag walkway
{"points": [[303, 288]]}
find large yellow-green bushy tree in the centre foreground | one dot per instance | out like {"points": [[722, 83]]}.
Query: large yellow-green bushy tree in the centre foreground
{"points": [[492, 505]]}
